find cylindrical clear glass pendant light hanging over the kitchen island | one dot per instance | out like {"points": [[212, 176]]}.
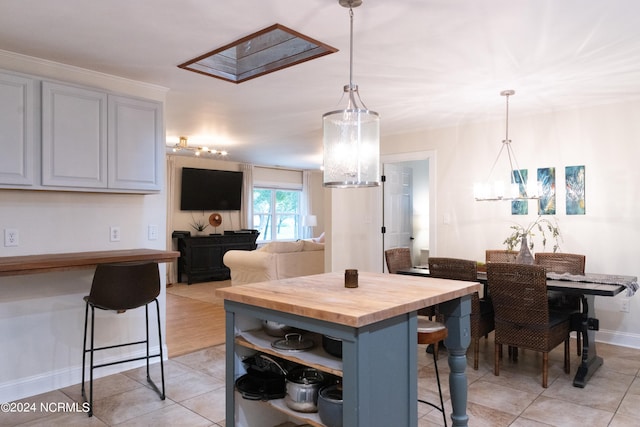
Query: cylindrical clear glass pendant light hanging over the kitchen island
{"points": [[351, 137]]}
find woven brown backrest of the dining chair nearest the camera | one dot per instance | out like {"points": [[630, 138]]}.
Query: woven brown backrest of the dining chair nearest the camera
{"points": [[519, 294]]}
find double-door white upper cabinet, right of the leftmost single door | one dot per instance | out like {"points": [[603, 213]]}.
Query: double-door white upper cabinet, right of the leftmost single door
{"points": [[95, 140]]}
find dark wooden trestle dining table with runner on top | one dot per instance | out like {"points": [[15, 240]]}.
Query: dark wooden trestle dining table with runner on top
{"points": [[587, 287]]}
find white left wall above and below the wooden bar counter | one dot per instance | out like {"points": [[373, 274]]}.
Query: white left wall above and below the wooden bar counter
{"points": [[42, 315]]}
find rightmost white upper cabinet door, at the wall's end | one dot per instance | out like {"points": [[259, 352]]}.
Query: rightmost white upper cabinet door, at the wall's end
{"points": [[135, 144]]}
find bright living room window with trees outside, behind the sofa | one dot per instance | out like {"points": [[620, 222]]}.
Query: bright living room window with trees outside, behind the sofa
{"points": [[276, 213]]}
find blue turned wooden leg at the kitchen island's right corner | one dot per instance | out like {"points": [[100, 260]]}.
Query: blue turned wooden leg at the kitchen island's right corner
{"points": [[457, 314]]}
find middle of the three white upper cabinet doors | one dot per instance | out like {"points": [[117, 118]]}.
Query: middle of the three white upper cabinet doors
{"points": [[74, 136]]}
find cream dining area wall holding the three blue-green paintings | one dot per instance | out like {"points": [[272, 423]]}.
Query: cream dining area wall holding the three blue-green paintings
{"points": [[606, 139]]}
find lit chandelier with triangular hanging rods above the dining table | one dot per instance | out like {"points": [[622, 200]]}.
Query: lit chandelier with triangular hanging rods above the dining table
{"points": [[518, 188]]}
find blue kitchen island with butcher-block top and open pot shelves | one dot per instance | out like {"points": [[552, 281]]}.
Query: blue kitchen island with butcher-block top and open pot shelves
{"points": [[377, 323]]}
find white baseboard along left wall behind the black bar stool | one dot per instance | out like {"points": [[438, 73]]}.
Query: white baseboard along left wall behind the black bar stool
{"points": [[54, 380]]}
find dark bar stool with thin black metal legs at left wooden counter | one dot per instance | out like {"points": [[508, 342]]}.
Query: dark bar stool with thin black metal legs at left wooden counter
{"points": [[121, 287]]}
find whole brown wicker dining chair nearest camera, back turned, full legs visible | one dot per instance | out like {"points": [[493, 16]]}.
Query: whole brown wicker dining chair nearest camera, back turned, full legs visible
{"points": [[522, 315]]}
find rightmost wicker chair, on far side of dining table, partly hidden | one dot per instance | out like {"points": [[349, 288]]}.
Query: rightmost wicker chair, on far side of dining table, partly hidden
{"points": [[565, 263]]}
